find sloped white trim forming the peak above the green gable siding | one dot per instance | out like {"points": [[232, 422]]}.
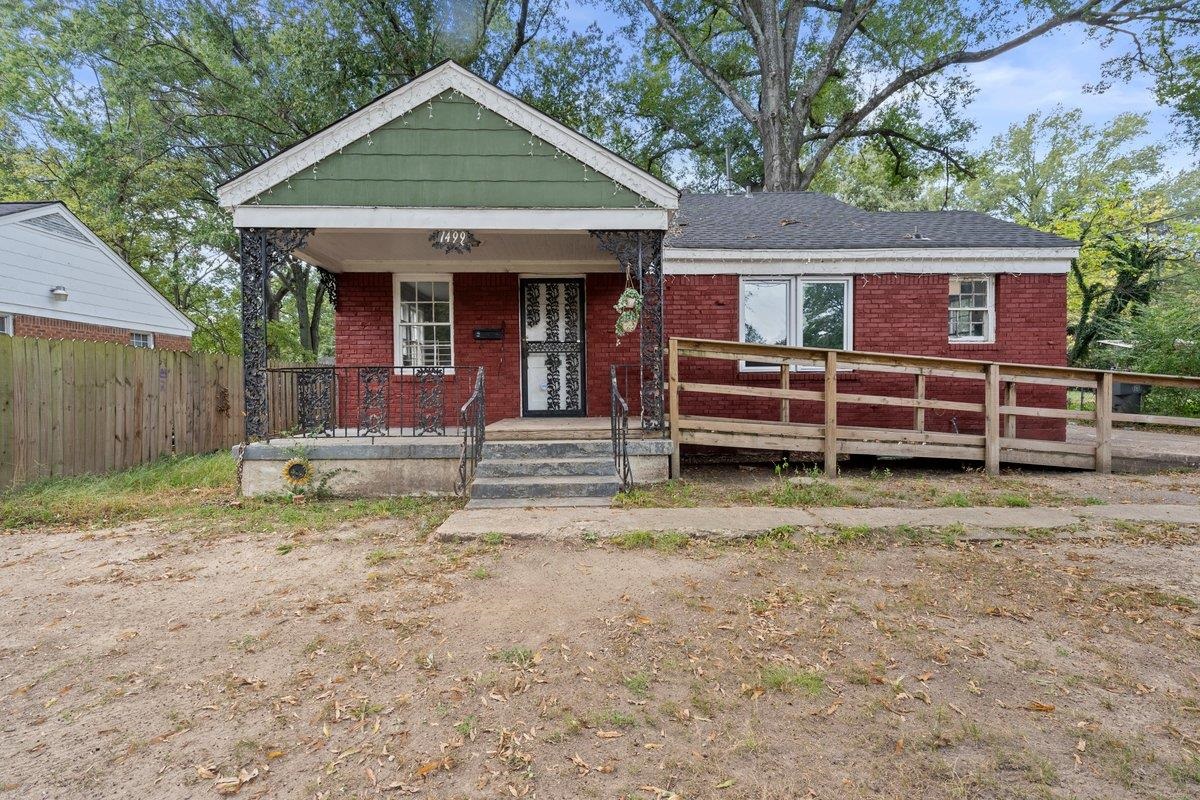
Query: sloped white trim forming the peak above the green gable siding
{"points": [[423, 89]]}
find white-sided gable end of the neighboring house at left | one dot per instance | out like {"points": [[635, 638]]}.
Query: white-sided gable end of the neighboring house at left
{"points": [[44, 245]]}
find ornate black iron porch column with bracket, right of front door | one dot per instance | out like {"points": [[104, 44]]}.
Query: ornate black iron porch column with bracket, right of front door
{"points": [[640, 254]]}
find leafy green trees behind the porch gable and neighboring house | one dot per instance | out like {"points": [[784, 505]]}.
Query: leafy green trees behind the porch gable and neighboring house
{"points": [[135, 111]]}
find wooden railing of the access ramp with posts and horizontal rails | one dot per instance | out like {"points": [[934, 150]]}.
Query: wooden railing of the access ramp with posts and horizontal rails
{"points": [[995, 412]]}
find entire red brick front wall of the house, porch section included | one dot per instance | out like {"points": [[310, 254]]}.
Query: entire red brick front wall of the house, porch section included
{"points": [[901, 314]]}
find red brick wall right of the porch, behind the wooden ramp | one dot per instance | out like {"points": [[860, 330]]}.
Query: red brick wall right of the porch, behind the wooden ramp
{"points": [[893, 314]]}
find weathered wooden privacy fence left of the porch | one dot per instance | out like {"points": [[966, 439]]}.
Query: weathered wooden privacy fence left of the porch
{"points": [[70, 408]]}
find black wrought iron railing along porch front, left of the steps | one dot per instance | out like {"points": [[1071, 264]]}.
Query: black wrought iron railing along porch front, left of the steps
{"points": [[368, 401]]}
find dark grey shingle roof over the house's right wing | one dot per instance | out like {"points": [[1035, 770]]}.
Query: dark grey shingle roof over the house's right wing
{"points": [[813, 221]]}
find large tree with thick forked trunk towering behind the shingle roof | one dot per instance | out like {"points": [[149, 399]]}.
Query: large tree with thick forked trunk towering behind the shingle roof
{"points": [[799, 81]]}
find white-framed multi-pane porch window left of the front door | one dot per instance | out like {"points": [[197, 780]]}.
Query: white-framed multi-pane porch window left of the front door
{"points": [[424, 321]]}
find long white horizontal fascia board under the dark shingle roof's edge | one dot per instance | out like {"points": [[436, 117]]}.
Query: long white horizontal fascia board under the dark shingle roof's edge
{"points": [[987, 261]]}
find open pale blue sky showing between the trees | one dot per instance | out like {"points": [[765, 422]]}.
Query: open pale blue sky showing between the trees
{"points": [[1047, 73]]}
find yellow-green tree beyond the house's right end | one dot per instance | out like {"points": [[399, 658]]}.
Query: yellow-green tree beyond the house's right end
{"points": [[1105, 189]]}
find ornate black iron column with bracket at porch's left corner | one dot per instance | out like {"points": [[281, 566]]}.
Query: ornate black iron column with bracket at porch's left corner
{"points": [[261, 251]]}
